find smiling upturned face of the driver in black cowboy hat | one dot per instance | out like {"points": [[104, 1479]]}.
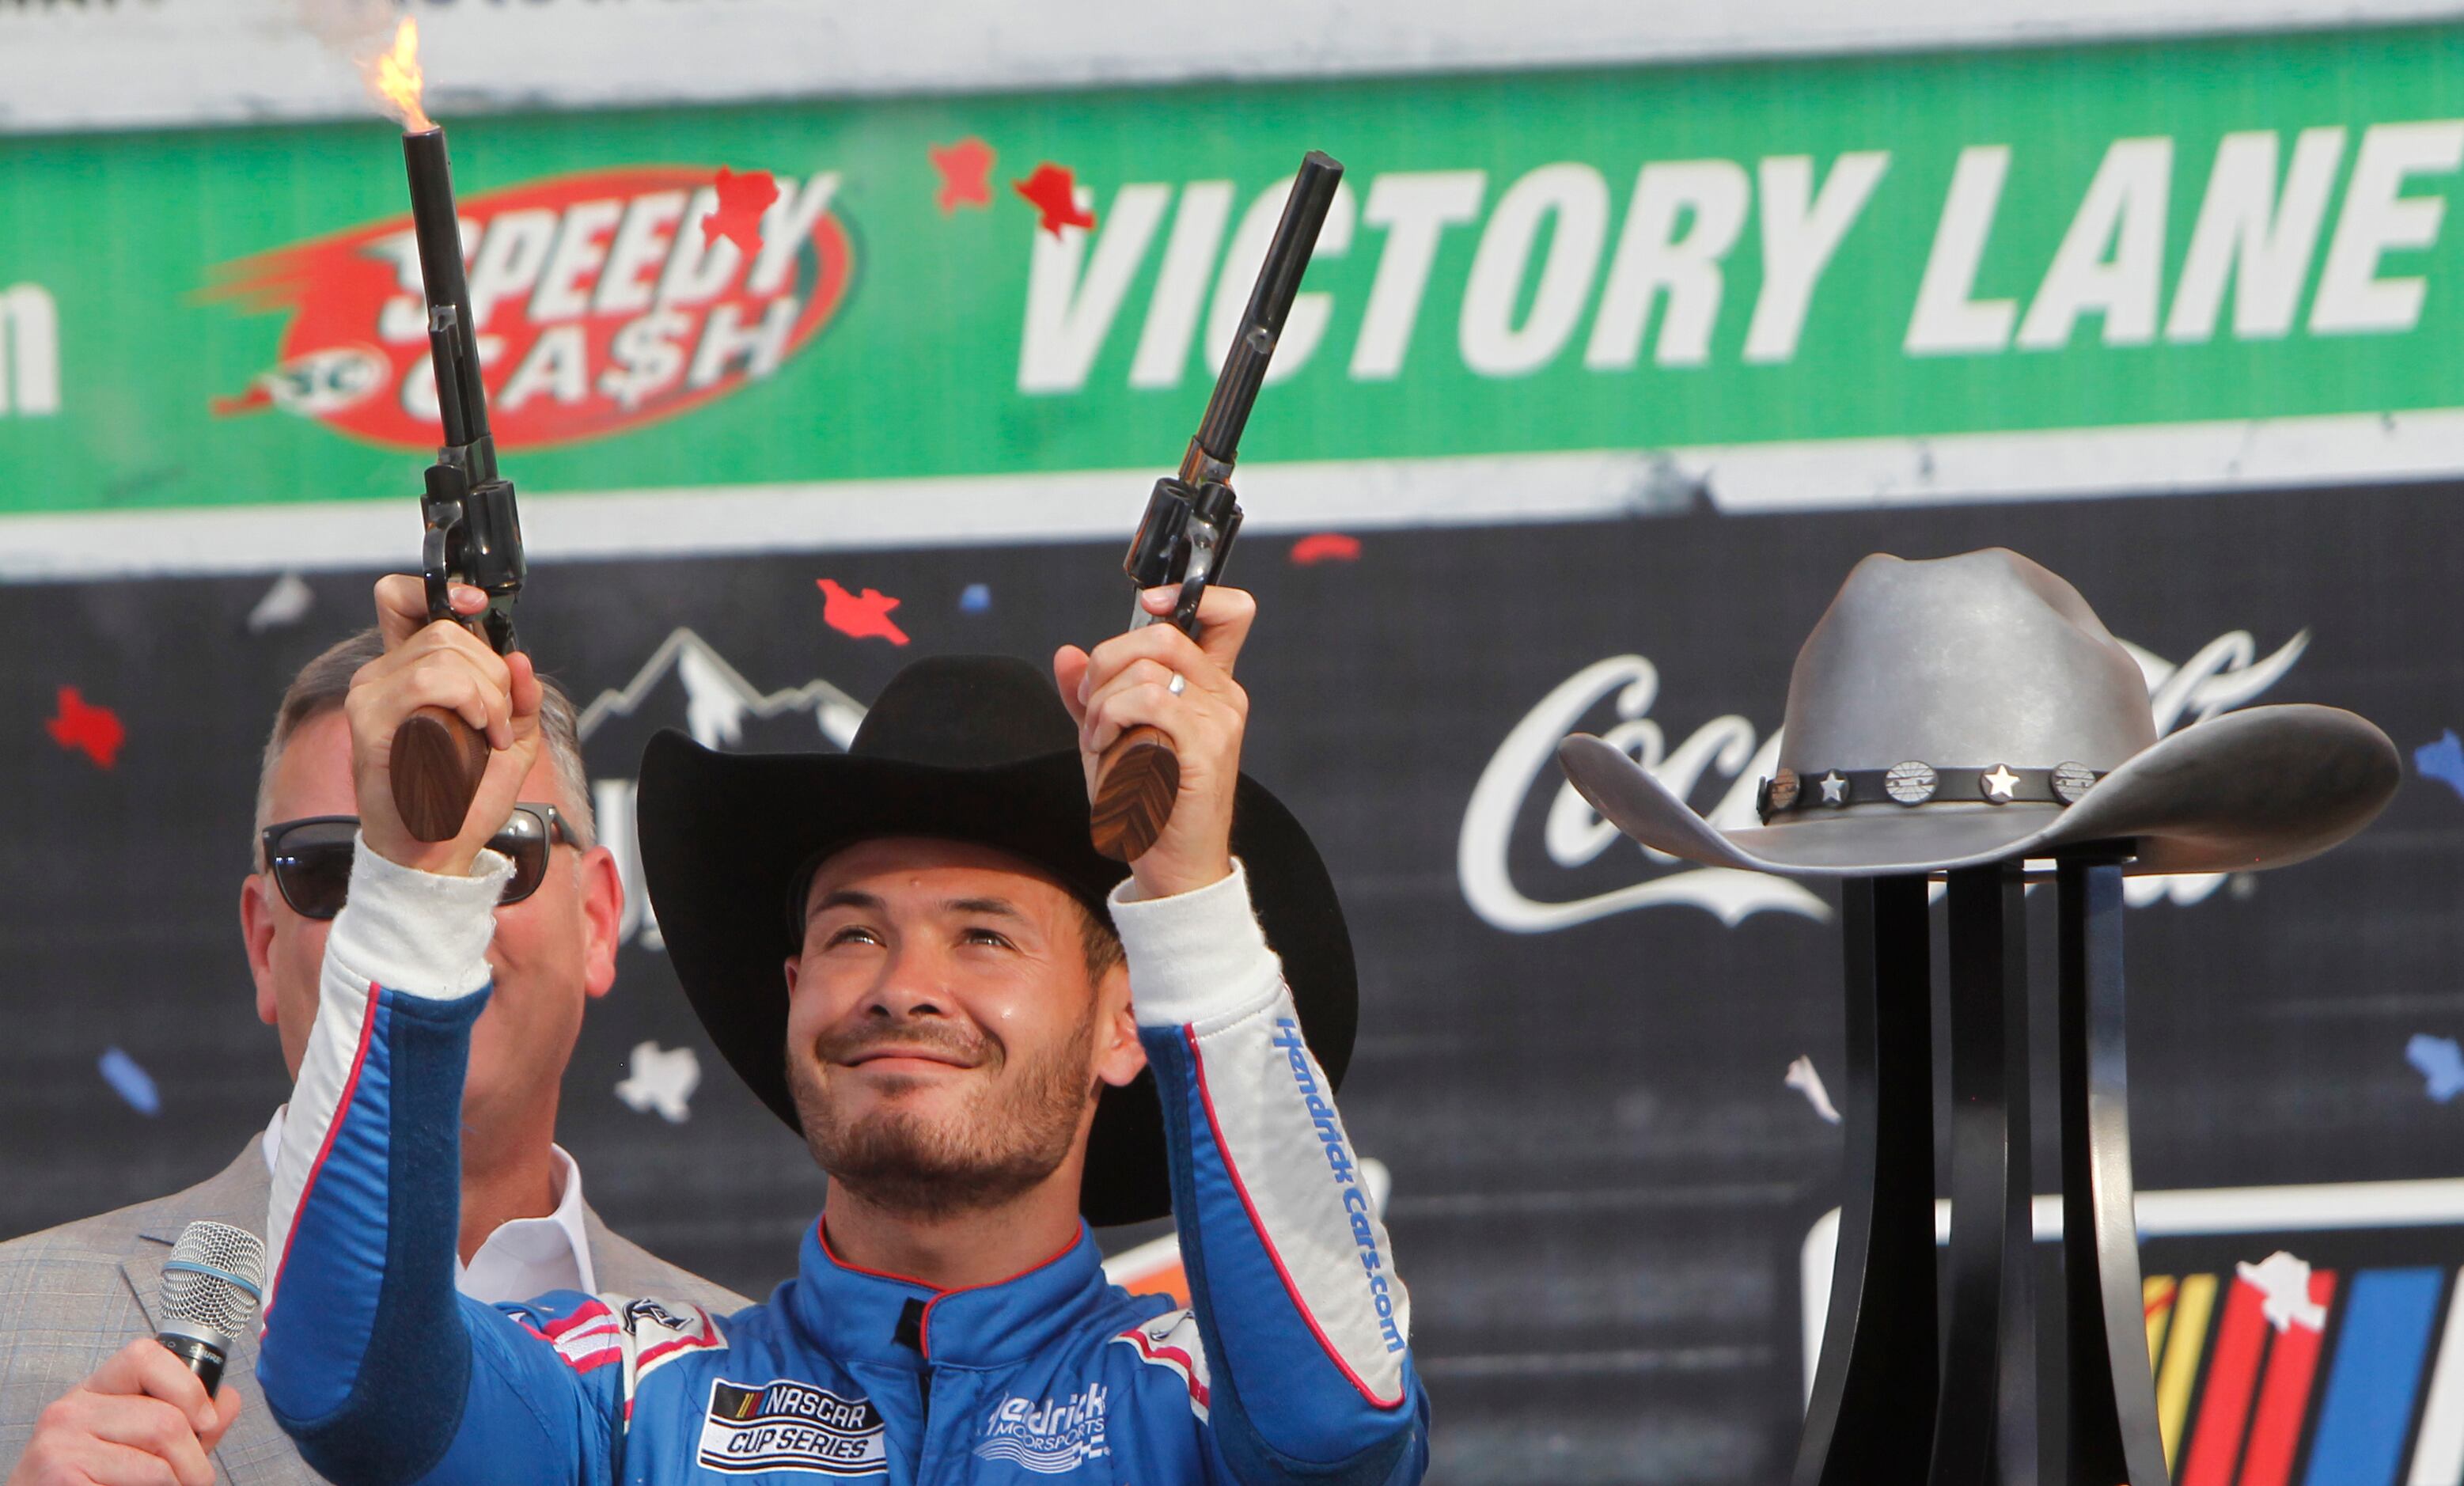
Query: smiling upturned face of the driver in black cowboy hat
{"points": [[945, 1036]]}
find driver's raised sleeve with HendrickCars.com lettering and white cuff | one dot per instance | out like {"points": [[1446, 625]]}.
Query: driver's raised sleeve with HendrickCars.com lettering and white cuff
{"points": [[1302, 1317]]}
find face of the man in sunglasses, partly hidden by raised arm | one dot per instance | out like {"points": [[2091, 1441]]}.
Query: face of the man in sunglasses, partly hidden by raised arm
{"points": [[551, 955]]}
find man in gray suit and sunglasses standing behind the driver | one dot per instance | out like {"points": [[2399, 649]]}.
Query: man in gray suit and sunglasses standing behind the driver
{"points": [[85, 1394]]}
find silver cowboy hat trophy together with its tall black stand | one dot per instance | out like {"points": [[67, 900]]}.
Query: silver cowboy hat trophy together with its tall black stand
{"points": [[1968, 718]]}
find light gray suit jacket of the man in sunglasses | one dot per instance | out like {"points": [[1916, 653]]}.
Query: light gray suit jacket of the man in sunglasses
{"points": [[80, 1293]]}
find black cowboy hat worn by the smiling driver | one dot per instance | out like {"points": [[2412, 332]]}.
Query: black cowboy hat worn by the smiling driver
{"points": [[962, 748]]}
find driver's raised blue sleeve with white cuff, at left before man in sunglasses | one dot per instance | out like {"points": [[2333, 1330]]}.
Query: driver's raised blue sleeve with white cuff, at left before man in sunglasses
{"points": [[371, 1359]]}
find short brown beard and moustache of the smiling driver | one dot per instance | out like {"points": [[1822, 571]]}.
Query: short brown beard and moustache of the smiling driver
{"points": [[1011, 1135]]}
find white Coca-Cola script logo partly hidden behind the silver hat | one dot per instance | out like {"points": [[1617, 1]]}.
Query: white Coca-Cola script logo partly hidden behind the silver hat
{"points": [[1719, 768]]}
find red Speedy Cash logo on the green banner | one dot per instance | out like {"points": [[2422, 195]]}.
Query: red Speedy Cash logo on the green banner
{"points": [[600, 307]]}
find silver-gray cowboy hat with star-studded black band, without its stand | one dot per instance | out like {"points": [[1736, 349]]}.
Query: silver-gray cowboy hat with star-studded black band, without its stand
{"points": [[1975, 708]]}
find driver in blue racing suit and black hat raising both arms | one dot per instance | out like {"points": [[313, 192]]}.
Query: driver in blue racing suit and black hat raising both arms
{"points": [[987, 1036]]}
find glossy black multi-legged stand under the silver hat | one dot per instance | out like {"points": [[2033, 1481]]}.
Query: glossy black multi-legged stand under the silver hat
{"points": [[1899, 1396]]}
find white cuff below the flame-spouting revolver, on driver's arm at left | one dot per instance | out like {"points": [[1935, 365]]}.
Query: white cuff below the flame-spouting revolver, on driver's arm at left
{"points": [[418, 933]]}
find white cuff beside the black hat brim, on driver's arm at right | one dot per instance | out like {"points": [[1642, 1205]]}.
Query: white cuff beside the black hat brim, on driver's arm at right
{"points": [[1199, 955]]}
